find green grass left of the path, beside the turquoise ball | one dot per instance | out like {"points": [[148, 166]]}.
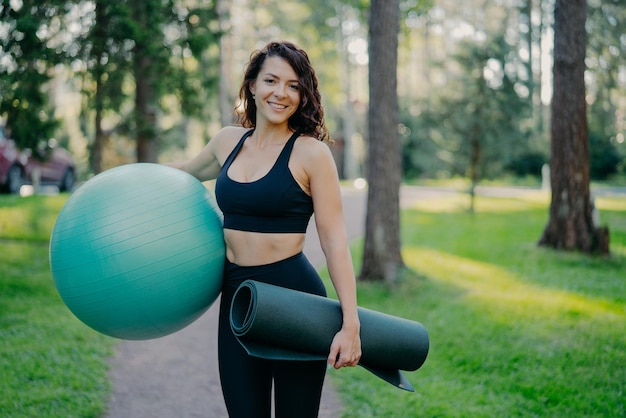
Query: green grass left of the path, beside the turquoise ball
{"points": [[51, 364]]}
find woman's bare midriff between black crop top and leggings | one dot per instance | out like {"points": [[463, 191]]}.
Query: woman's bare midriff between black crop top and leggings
{"points": [[255, 248]]}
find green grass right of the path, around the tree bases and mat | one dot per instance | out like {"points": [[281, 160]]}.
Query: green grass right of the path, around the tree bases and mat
{"points": [[515, 330]]}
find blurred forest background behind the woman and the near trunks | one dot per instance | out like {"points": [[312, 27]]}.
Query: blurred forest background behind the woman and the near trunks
{"points": [[73, 71]]}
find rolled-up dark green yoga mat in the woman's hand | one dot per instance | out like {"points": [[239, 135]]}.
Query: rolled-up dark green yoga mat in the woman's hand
{"points": [[277, 323]]}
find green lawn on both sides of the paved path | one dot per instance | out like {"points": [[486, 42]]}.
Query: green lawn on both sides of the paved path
{"points": [[515, 330]]}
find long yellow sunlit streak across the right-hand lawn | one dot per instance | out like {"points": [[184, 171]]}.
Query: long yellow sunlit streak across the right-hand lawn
{"points": [[496, 290]]}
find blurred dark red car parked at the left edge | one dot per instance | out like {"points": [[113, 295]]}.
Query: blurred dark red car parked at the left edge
{"points": [[54, 164]]}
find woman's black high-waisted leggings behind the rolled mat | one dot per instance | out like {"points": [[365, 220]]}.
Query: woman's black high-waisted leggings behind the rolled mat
{"points": [[246, 380]]}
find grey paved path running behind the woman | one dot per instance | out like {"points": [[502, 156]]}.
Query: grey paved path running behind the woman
{"points": [[176, 376]]}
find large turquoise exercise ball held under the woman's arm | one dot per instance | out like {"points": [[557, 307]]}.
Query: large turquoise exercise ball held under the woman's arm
{"points": [[137, 252]]}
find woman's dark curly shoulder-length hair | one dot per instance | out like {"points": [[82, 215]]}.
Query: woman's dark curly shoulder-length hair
{"points": [[309, 118]]}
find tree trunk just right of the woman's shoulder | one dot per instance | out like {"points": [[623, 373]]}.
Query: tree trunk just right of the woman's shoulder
{"points": [[382, 258]]}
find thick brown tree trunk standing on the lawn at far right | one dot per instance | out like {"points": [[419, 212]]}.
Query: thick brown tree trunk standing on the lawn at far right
{"points": [[570, 226]]}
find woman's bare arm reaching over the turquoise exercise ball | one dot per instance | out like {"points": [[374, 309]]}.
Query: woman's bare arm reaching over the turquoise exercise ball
{"points": [[207, 163]]}
